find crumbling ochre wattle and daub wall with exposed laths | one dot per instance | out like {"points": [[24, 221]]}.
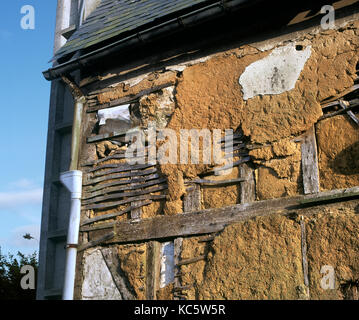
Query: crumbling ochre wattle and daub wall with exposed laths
{"points": [[271, 94]]}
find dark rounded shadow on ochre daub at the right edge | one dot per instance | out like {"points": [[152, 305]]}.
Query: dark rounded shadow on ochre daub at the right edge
{"points": [[347, 161]]}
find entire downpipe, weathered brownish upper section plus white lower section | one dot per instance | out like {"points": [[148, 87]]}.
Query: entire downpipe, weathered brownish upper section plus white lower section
{"points": [[72, 180]]}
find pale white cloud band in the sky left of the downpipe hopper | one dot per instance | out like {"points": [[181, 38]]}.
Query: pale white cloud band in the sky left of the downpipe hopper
{"points": [[16, 198]]}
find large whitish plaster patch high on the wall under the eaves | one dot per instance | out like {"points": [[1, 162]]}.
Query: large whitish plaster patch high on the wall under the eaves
{"points": [[274, 74]]}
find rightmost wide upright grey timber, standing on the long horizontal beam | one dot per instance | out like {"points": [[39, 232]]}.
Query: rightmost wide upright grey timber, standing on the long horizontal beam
{"points": [[310, 162]]}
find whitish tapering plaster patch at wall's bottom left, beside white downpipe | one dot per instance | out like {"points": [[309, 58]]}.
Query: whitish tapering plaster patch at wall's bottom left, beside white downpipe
{"points": [[98, 283]]}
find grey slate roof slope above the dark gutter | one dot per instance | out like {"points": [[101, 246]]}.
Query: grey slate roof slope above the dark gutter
{"points": [[113, 18]]}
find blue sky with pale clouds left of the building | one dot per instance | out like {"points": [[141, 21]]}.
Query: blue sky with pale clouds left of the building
{"points": [[24, 104]]}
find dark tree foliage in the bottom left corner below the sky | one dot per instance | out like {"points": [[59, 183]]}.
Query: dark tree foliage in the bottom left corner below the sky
{"points": [[10, 276]]}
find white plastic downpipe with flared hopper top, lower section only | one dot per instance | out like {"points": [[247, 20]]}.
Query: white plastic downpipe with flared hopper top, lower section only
{"points": [[72, 180]]}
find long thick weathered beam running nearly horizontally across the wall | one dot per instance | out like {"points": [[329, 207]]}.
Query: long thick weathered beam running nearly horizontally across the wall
{"points": [[214, 220]]}
